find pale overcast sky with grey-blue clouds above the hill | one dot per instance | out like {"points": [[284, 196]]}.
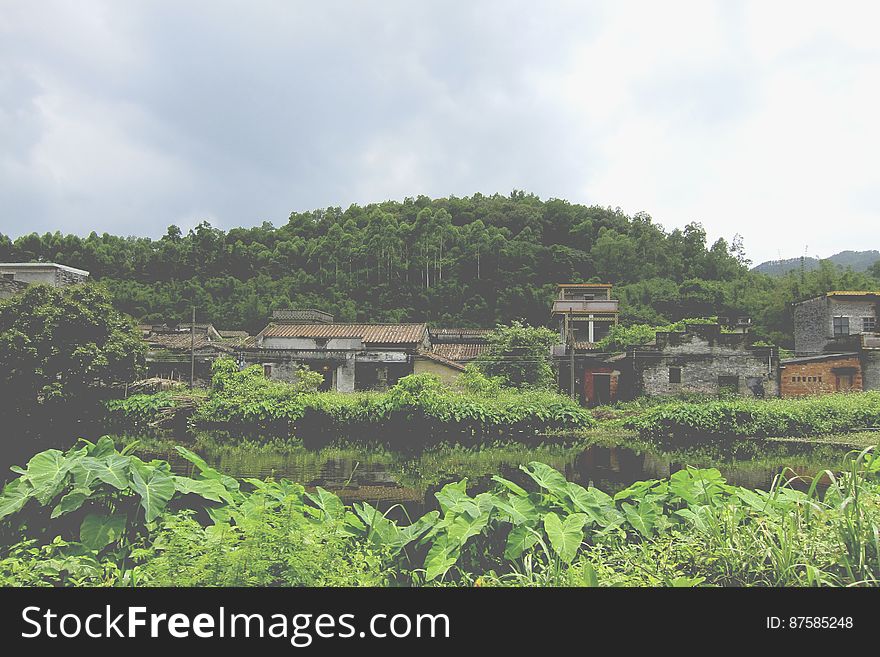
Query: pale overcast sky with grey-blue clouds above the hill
{"points": [[754, 118]]}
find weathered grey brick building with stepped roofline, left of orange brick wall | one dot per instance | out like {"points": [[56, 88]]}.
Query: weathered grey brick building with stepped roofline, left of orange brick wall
{"points": [[702, 360]]}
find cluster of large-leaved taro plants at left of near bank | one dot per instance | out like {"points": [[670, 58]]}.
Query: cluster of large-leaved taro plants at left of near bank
{"points": [[94, 502]]}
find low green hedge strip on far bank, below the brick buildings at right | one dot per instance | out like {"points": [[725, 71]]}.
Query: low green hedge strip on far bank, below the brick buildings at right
{"points": [[809, 416]]}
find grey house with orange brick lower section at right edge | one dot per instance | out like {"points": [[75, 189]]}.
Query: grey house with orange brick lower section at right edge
{"points": [[837, 345]]}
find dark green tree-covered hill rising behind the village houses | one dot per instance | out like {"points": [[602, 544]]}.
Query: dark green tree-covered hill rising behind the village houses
{"points": [[471, 261]]}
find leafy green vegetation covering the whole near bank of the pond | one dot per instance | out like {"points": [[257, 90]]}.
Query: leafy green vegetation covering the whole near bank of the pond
{"points": [[692, 528]]}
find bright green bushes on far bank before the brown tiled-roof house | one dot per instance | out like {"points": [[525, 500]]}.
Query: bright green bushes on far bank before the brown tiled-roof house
{"points": [[417, 405]]}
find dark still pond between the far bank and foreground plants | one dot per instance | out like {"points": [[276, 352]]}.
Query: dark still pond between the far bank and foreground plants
{"points": [[388, 478]]}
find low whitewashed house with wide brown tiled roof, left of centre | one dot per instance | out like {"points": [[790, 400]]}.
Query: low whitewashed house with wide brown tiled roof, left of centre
{"points": [[350, 356]]}
